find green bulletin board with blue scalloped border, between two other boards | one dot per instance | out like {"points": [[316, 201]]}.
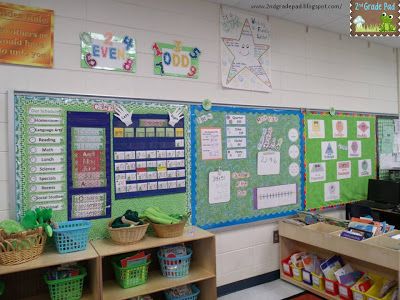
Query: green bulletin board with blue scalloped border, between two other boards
{"points": [[247, 165]]}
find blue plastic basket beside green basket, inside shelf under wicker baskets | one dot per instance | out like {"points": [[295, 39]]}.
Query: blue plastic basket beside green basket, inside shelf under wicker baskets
{"points": [[175, 267]]}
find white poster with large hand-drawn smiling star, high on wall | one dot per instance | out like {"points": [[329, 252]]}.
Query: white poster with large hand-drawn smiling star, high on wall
{"points": [[245, 51]]}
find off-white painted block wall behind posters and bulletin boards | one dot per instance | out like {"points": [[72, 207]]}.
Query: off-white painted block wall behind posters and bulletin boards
{"points": [[314, 69]]}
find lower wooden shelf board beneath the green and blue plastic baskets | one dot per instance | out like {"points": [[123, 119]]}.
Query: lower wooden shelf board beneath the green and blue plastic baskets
{"points": [[155, 283]]}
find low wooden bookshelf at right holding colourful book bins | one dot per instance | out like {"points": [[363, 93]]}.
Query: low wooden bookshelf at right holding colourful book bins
{"points": [[378, 255]]}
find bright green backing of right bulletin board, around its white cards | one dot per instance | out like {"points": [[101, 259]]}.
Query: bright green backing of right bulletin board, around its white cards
{"points": [[352, 189]]}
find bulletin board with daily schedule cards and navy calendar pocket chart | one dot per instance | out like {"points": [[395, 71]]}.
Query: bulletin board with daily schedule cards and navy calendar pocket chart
{"points": [[94, 158]]}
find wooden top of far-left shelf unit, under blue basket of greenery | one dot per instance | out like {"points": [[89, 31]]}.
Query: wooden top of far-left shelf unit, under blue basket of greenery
{"points": [[51, 257]]}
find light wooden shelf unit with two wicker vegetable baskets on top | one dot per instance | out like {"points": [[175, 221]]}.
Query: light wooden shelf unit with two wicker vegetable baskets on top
{"points": [[202, 270]]}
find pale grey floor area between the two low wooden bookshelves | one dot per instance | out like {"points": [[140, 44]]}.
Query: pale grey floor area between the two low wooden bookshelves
{"points": [[274, 290]]}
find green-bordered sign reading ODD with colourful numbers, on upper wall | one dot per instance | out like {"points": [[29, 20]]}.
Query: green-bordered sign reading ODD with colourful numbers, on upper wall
{"points": [[176, 60]]}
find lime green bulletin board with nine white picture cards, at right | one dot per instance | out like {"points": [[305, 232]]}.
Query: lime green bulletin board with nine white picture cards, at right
{"points": [[340, 158]]}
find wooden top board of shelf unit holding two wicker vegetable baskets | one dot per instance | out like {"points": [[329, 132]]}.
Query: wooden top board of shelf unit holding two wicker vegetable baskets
{"points": [[108, 248]]}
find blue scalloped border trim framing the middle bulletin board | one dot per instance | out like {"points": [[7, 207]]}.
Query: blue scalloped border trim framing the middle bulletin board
{"points": [[196, 108]]}
